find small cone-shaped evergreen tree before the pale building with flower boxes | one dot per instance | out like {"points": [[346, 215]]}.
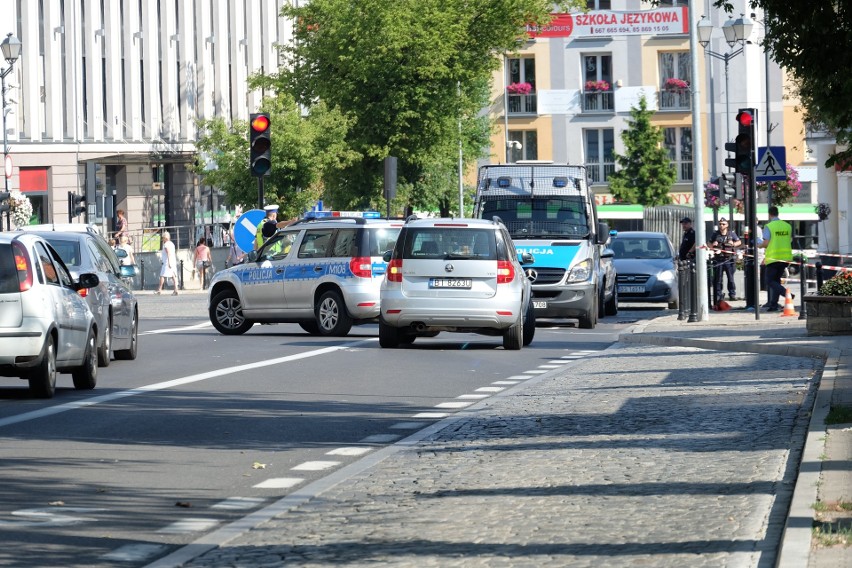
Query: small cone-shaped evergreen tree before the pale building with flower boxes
{"points": [[646, 174]]}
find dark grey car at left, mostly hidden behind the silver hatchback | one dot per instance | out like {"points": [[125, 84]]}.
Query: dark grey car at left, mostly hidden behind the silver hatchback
{"points": [[112, 302]]}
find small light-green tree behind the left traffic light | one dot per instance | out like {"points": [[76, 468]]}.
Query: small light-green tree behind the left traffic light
{"points": [[305, 149]]}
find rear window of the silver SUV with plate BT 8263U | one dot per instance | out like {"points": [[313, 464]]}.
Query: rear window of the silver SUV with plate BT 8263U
{"points": [[446, 243]]}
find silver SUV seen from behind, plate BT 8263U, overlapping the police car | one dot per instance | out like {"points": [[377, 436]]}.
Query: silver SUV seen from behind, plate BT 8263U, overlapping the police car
{"points": [[459, 275]]}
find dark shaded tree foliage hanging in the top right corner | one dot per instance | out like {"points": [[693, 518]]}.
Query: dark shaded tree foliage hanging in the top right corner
{"points": [[813, 42]]}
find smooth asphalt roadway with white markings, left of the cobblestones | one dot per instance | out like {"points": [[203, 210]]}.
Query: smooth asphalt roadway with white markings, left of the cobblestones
{"points": [[202, 428]]}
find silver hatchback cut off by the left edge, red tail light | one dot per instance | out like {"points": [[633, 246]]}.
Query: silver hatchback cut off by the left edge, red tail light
{"points": [[46, 327]]}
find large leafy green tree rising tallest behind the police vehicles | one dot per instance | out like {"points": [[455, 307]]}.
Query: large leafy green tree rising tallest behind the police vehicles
{"points": [[405, 72]]}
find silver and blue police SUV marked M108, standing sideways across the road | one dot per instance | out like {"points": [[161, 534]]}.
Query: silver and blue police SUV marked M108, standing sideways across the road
{"points": [[323, 273]]}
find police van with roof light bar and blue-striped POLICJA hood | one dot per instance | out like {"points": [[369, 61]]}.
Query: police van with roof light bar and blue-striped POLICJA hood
{"points": [[550, 212]]}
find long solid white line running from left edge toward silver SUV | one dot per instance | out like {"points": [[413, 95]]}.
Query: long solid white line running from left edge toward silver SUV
{"points": [[95, 400]]}
